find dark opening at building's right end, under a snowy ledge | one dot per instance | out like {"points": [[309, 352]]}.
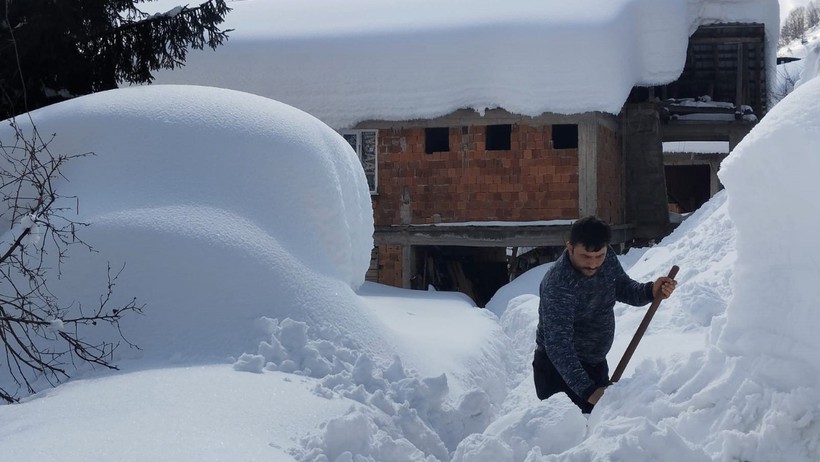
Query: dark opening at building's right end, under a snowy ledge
{"points": [[687, 186]]}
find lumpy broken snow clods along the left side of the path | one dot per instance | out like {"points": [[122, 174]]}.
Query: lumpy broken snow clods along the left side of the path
{"points": [[403, 416]]}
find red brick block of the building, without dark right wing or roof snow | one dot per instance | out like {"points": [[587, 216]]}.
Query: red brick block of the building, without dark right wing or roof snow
{"points": [[467, 188]]}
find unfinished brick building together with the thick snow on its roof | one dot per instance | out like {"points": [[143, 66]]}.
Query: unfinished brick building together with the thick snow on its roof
{"points": [[485, 131]]}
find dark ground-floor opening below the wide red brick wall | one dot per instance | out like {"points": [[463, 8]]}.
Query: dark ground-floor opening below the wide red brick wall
{"points": [[476, 271]]}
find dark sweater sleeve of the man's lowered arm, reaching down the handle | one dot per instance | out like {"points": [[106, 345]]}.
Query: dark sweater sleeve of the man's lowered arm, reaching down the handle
{"points": [[557, 314]]}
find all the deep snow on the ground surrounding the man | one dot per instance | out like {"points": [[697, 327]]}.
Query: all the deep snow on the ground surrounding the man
{"points": [[245, 226]]}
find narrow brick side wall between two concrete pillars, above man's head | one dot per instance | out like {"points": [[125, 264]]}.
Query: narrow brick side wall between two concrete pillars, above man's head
{"points": [[610, 177]]}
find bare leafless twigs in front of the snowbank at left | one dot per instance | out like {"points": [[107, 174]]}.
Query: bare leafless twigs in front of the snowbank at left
{"points": [[41, 336]]}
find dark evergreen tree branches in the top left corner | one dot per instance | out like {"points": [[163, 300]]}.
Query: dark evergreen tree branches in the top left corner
{"points": [[51, 50]]}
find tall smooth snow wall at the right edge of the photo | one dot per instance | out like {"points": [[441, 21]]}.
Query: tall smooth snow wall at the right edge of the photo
{"points": [[776, 328]]}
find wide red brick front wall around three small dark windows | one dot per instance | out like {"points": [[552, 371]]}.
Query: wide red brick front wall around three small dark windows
{"points": [[531, 181]]}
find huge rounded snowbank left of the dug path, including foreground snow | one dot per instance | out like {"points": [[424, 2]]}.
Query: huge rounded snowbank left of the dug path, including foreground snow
{"points": [[223, 242]]}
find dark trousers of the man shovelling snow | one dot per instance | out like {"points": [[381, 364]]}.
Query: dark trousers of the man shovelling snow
{"points": [[549, 382]]}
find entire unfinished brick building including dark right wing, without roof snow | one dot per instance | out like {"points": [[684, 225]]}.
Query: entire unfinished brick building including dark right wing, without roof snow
{"points": [[465, 201]]}
